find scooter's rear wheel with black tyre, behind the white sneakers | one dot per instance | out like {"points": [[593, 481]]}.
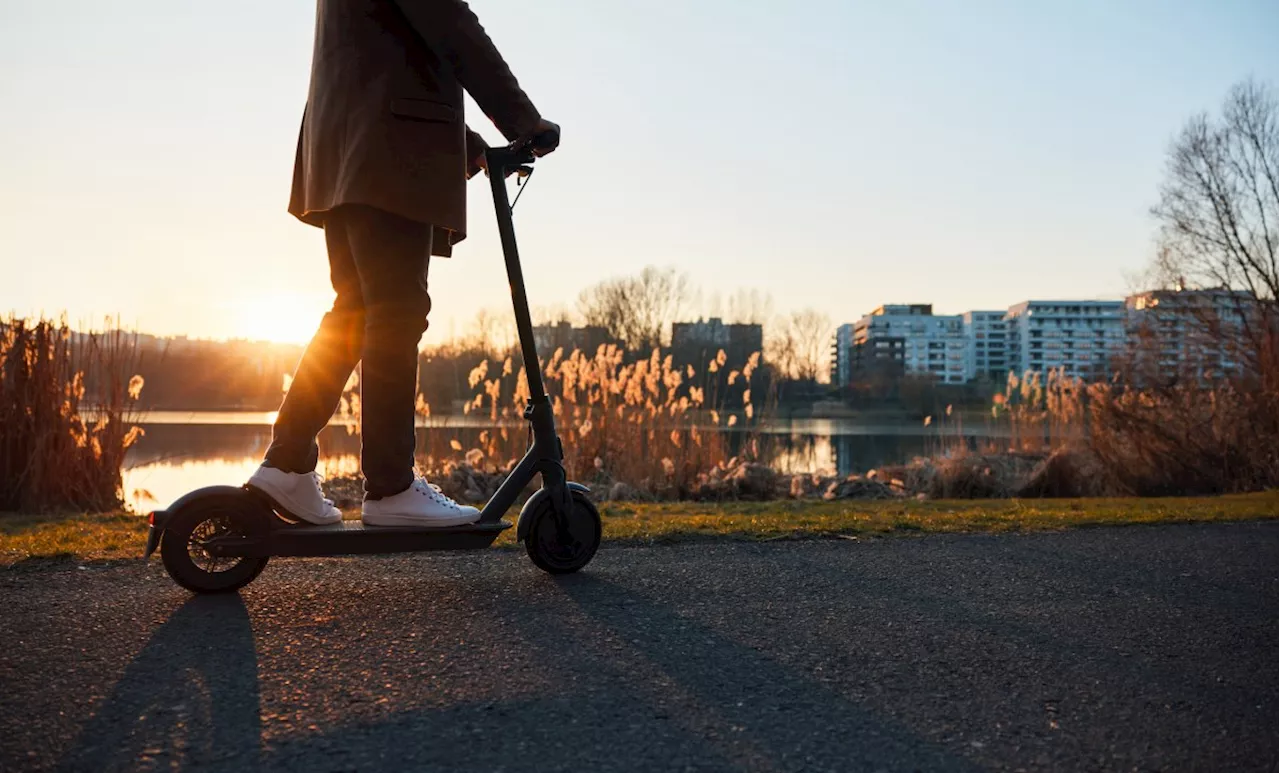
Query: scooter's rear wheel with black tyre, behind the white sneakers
{"points": [[191, 565]]}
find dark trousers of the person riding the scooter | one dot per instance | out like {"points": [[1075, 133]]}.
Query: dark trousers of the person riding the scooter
{"points": [[378, 266]]}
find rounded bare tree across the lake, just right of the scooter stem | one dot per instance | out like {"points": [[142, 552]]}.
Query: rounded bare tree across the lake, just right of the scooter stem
{"points": [[638, 310]]}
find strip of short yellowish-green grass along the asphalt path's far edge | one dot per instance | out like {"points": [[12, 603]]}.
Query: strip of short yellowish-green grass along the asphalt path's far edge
{"points": [[122, 537]]}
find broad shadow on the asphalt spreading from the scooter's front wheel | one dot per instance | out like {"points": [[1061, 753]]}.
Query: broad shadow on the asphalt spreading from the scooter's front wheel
{"points": [[628, 684]]}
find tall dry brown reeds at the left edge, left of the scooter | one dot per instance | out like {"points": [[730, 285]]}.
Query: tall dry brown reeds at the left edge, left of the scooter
{"points": [[66, 417]]}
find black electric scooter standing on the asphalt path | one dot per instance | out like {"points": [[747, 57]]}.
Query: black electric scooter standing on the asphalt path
{"points": [[218, 539]]}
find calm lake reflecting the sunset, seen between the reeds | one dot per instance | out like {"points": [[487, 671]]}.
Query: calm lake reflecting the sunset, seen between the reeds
{"points": [[182, 451]]}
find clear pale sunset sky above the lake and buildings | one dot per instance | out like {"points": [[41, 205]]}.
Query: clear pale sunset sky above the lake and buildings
{"points": [[836, 155]]}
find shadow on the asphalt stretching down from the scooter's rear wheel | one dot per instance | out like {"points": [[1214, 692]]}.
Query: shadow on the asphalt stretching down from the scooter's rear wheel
{"points": [[190, 698]]}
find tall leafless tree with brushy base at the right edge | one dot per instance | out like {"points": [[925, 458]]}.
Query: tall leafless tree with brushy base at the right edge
{"points": [[1208, 414]]}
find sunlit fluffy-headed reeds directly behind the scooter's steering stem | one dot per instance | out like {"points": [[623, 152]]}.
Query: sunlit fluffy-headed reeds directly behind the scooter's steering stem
{"points": [[643, 422]]}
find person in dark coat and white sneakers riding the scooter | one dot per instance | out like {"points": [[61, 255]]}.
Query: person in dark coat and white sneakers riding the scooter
{"points": [[382, 163]]}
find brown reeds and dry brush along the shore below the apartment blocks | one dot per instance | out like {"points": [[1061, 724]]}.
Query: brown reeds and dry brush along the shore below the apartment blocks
{"points": [[1053, 434]]}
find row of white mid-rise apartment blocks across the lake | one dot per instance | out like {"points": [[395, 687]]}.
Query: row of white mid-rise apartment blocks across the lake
{"points": [[1176, 333]]}
